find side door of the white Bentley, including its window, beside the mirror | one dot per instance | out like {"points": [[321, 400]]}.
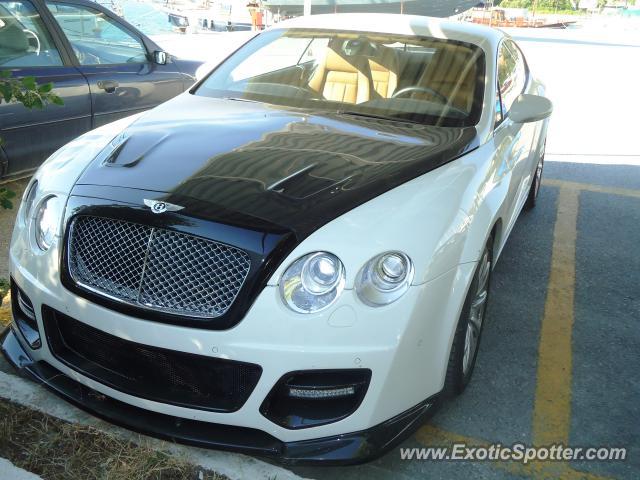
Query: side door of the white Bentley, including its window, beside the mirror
{"points": [[513, 140]]}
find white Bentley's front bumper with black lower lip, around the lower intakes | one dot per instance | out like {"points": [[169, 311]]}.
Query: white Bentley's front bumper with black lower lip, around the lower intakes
{"points": [[405, 345]]}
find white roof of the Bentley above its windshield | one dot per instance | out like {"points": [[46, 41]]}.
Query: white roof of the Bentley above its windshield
{"points": [[486, 37]]}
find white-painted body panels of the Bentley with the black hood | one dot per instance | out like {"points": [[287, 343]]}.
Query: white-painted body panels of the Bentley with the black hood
{"points": [[441, 220]]}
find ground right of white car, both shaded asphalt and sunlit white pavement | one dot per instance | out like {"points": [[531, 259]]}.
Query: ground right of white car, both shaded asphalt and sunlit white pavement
{"points": [[559, 355]]}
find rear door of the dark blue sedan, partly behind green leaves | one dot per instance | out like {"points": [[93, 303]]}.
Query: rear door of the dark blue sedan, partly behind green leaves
{"points": [[28, 47]]}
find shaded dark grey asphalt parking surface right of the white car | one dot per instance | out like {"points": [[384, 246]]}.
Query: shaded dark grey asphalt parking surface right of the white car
{"points": [[601, 379]]}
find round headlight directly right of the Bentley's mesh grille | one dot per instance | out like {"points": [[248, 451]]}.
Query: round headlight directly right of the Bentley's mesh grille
{"points": [[312, 282]]}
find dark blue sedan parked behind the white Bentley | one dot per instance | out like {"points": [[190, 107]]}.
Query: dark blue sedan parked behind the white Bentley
{"points": [[102, 67]]}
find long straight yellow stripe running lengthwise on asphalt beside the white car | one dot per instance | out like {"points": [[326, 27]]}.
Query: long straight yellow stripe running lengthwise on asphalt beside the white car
{"points": [[552, 408]]}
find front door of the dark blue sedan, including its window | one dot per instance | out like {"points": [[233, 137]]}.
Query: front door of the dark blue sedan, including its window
{"points": [[123, 76]]}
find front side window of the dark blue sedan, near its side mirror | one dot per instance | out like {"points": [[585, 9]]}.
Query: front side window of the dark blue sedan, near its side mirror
{"points": [[96, 38]]}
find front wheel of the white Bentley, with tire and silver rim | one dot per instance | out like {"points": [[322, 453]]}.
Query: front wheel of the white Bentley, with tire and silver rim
{"points": [[462, 358]]}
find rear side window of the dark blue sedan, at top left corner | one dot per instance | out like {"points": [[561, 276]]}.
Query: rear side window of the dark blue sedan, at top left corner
{"points": [[24, 39]]}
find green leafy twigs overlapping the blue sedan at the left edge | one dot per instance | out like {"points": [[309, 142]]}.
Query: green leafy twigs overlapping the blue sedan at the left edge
{"points": [[31, 95]]}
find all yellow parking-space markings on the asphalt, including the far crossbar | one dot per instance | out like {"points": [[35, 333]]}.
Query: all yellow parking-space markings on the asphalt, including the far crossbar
{"points": [[552, 405]]}
